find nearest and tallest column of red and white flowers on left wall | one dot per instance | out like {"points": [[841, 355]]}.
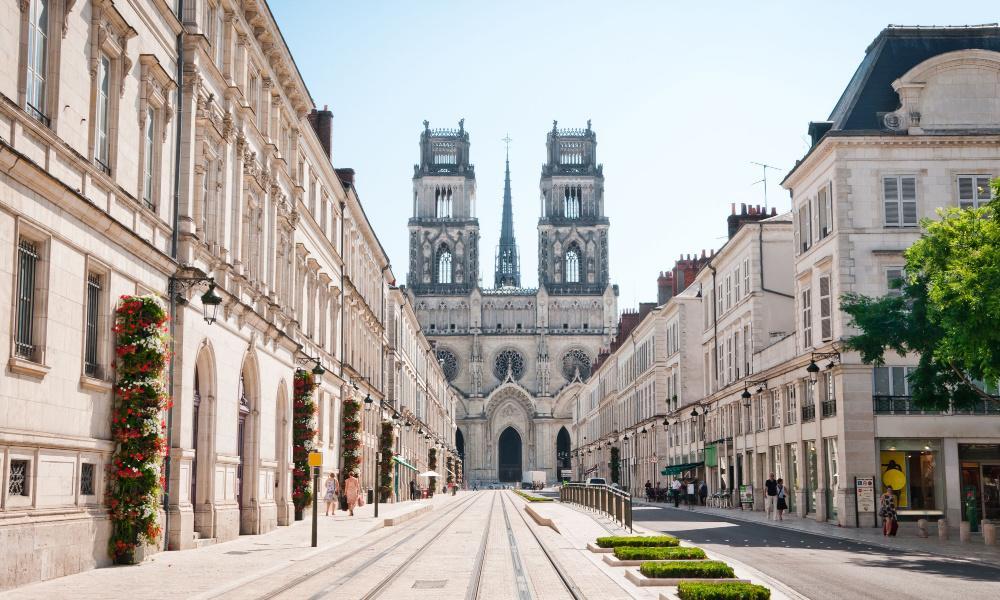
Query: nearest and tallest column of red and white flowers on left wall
{"points": [[135, 481]]}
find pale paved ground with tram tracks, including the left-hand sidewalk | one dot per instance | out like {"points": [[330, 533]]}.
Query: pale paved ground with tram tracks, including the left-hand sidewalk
{"points": [[478, 545]]}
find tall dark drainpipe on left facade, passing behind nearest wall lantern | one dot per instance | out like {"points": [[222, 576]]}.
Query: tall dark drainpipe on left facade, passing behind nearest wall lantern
{"points": [[173, 254]]}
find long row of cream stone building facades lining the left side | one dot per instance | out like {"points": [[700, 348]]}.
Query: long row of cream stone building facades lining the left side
{"points": [[146, 151]]}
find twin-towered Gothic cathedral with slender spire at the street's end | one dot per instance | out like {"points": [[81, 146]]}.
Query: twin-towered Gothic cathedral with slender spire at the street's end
{"points": [[514, 353]]}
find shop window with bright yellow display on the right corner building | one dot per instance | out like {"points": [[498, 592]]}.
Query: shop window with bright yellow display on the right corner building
{"points": [[911, 468]]}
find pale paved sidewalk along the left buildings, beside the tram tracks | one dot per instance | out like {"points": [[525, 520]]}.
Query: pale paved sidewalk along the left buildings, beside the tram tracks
{"points": [[208, 571]]}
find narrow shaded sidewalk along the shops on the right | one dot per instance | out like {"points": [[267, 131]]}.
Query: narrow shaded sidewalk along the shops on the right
{"points": [[905, 541]]}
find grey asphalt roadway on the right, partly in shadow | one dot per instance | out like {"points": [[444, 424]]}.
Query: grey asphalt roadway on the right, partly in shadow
{"points": [[825, 568]]}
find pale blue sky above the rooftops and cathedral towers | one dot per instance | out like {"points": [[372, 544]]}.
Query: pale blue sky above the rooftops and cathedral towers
{"points": [[683, 96]]}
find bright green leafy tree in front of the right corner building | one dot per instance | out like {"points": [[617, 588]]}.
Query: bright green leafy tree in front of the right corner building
{"points": [[947, 309]]}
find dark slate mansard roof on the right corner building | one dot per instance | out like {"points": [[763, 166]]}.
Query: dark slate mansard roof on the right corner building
{"points": [[896, 50]]}
